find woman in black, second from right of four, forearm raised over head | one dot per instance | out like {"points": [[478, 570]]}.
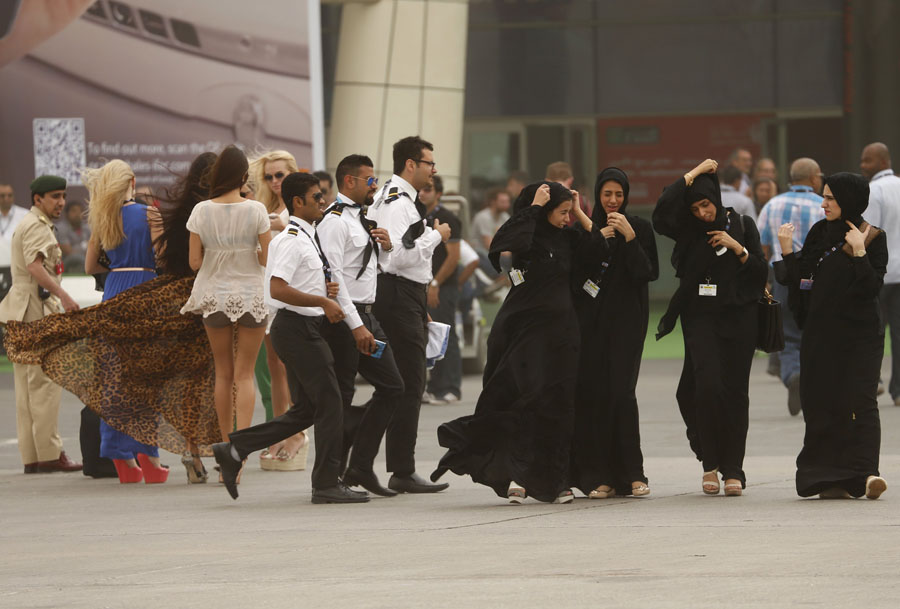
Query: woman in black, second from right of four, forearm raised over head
{"points": [[722, 273]]}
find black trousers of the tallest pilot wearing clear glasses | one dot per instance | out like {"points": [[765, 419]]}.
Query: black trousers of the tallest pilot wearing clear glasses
{"points": [[400, 307]]}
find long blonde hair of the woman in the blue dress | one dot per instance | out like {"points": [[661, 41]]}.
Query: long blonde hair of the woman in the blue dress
{"points": [[107, 189]]}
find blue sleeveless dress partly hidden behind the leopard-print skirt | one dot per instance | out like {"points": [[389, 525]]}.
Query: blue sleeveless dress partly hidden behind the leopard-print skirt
{"points": [[136, 250]]}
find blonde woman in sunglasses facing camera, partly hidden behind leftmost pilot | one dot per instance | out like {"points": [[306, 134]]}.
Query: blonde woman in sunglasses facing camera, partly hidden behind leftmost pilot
{"points": [[267, 171]]}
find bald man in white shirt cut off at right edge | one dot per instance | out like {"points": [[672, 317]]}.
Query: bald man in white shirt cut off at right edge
{"points": [[884, 212]]}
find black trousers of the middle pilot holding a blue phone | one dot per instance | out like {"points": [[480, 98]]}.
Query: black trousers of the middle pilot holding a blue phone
{"points": [[364, 431]]}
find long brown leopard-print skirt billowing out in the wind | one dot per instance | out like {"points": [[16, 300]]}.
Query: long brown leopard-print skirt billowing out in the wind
{"points": [[135, 360]]}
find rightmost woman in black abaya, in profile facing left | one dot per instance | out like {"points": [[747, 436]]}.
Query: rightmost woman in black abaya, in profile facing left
{"points": [[833, 287]]}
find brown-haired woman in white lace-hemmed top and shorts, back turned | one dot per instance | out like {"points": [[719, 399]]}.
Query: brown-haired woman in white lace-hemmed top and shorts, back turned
{"points": [[229, 242]]}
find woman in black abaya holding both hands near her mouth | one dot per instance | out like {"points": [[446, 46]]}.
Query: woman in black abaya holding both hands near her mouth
{"points": [[610, 296]]}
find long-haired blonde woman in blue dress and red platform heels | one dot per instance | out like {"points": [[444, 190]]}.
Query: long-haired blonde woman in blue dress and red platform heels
{"points": [[121, 228]]}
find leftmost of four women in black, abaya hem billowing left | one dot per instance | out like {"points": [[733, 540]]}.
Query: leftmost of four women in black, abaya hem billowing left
{"points": [[518, 440]]}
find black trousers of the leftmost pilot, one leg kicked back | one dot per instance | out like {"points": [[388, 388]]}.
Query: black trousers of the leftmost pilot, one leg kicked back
{"points": [[315, 395]]}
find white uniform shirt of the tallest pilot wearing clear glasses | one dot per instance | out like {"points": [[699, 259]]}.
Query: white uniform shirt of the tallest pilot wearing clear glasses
{"points": [[414, 263]]}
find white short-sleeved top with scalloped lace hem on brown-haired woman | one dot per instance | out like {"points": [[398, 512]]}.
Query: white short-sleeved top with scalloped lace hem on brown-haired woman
{"points": [[230, 280]]}
